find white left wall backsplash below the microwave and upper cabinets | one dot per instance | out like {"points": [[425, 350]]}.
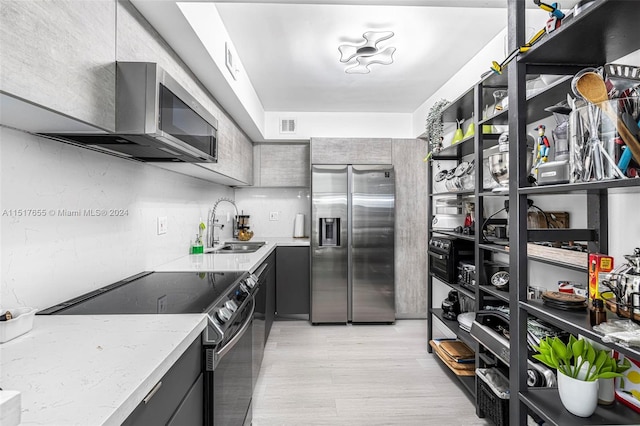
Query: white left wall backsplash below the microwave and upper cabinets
{"points": [[50, 259]]}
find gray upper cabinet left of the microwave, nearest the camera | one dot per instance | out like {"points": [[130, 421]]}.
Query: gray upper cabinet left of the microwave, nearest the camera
{"points": [[60, 55]]}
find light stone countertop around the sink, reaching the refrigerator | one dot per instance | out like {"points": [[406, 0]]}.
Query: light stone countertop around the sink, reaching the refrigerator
{"points": [[214, 261]]}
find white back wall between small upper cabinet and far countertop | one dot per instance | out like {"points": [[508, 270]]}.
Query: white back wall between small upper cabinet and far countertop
{"points": [[259, 202]]}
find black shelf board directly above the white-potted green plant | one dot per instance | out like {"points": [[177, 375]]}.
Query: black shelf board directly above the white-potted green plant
{"points": [[575, 322]]}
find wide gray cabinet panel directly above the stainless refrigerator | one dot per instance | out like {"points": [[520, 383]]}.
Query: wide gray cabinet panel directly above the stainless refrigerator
{"points": [[351, 151]]}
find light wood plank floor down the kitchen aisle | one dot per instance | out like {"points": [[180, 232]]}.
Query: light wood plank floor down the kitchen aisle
{"points": [[356, 375]]}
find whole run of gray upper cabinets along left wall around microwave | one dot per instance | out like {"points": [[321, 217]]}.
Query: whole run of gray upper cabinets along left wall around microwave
{"points": [[60, 56]]}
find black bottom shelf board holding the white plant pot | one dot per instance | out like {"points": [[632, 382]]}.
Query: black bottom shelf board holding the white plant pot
{"points": [[546, 403]]}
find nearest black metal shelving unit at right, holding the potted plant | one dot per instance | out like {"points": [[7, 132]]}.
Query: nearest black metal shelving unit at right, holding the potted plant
{"points": [[605, 31]]}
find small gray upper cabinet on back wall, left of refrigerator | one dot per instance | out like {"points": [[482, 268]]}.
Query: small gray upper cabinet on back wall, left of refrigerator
{"points": [[281, 164]]}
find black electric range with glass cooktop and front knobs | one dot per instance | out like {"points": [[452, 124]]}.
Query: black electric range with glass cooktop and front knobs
{"points": [[228, 300]]}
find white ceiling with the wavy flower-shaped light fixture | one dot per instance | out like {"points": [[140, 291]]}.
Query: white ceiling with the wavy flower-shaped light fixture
{"points": [[290, 62]]}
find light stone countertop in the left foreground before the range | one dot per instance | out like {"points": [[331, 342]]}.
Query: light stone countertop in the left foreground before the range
{"points": [[92, 369]]}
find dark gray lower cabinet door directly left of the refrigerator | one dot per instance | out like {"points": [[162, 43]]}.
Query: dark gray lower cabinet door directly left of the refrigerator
{"points": [[292, 281]]}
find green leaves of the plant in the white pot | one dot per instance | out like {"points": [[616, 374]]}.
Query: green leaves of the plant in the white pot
{"points": [[579, 359]]}
